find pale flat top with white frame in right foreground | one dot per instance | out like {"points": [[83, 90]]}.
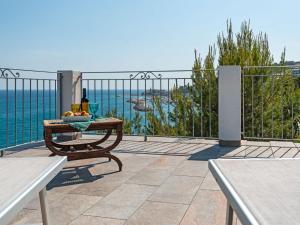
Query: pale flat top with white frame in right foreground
{"points": [[260, 191]]}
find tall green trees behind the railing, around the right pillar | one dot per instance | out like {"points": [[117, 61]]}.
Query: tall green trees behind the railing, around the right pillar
{"points": [[270, 103]]}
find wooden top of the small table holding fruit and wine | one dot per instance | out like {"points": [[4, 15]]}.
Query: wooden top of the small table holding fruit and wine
{"points": [[100, 122]]}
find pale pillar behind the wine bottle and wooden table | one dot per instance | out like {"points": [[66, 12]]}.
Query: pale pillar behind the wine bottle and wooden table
{"points": [[68, 90]]}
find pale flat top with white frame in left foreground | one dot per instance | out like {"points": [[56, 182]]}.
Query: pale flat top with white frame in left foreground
{"points": [[21, 179]]}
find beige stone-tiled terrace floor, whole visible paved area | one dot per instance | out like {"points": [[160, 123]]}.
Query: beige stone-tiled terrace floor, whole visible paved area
{"points": [[164, 181]]}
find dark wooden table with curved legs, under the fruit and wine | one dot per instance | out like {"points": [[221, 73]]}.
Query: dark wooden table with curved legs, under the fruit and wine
{"points": [[83, 150]]}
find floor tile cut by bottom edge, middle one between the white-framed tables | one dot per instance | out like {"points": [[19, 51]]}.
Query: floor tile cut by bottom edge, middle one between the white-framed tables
{"points": [[154, 213]]}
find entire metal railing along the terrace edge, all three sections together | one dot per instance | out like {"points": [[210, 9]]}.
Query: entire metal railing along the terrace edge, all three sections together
{"points": [[182, 103]]}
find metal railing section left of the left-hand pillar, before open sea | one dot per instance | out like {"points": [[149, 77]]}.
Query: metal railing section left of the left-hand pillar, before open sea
{"points": [[27, 97]]}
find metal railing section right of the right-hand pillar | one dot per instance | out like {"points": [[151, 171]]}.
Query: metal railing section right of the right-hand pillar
{"points": [[271, 102]]}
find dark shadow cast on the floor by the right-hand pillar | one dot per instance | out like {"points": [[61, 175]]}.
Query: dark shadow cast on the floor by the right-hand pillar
{"points": [[212, 152]]}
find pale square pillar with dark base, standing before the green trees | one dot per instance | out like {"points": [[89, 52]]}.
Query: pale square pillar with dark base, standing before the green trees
{"points": [[229, 88]]}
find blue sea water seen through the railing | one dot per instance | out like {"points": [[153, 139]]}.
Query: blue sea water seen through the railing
{"points": [[22, 122]]}
